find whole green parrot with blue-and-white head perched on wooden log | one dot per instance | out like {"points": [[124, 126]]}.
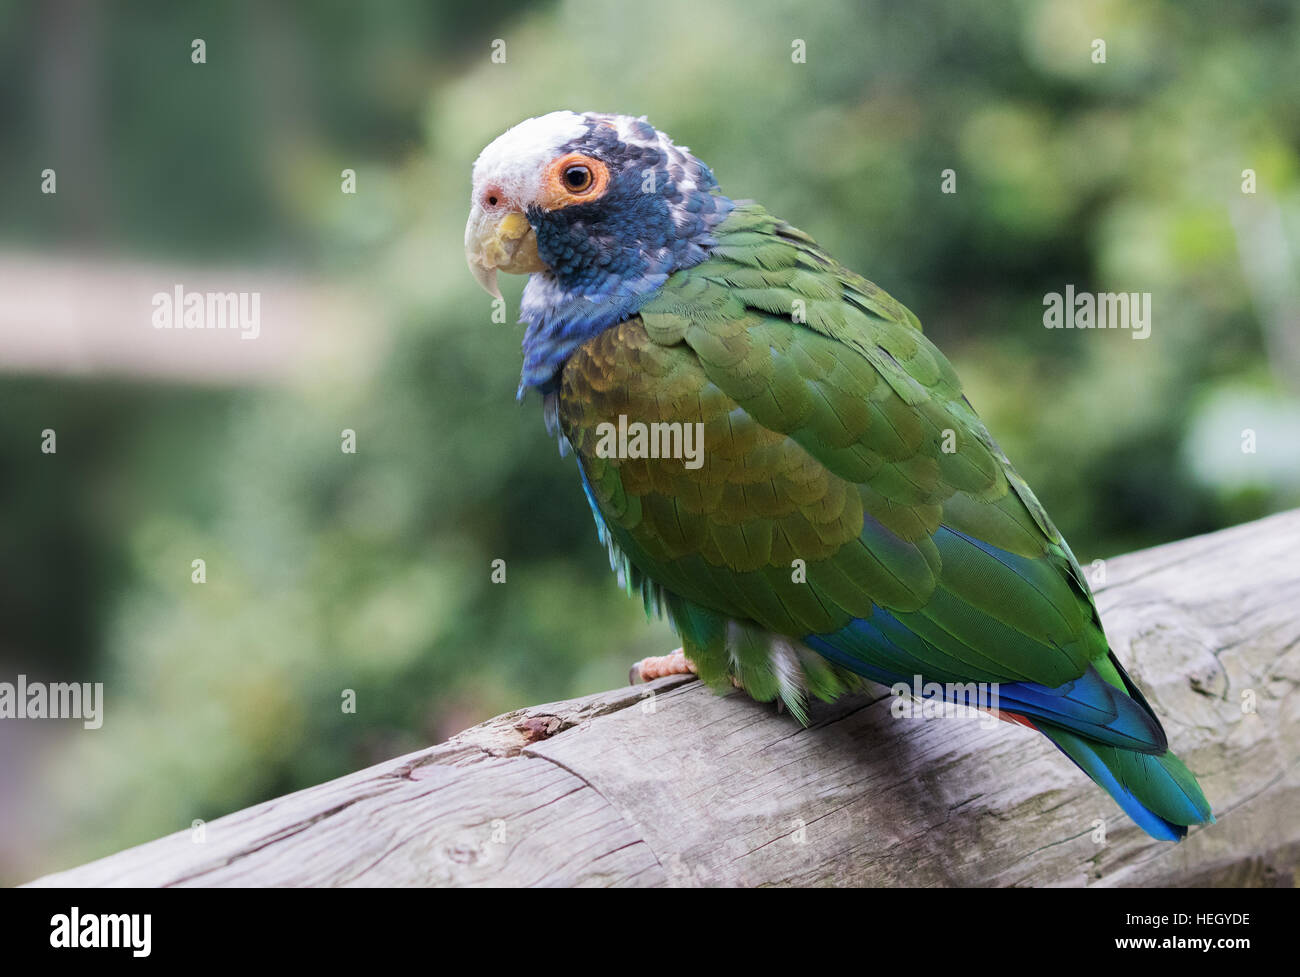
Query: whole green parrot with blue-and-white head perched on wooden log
{"points": [[846, 515]]}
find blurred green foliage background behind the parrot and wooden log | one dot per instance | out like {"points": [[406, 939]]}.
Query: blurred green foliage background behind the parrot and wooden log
{"points": [[371, 571]]}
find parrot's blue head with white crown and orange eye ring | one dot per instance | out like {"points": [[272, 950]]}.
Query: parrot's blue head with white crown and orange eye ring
{"points": [[599, 210]]}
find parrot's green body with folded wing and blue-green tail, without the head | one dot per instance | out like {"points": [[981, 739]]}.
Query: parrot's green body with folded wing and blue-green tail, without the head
{"points": [[850, 494]]}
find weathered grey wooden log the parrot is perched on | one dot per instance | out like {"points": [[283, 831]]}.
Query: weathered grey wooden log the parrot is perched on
{"points": [[671, 785]]}
